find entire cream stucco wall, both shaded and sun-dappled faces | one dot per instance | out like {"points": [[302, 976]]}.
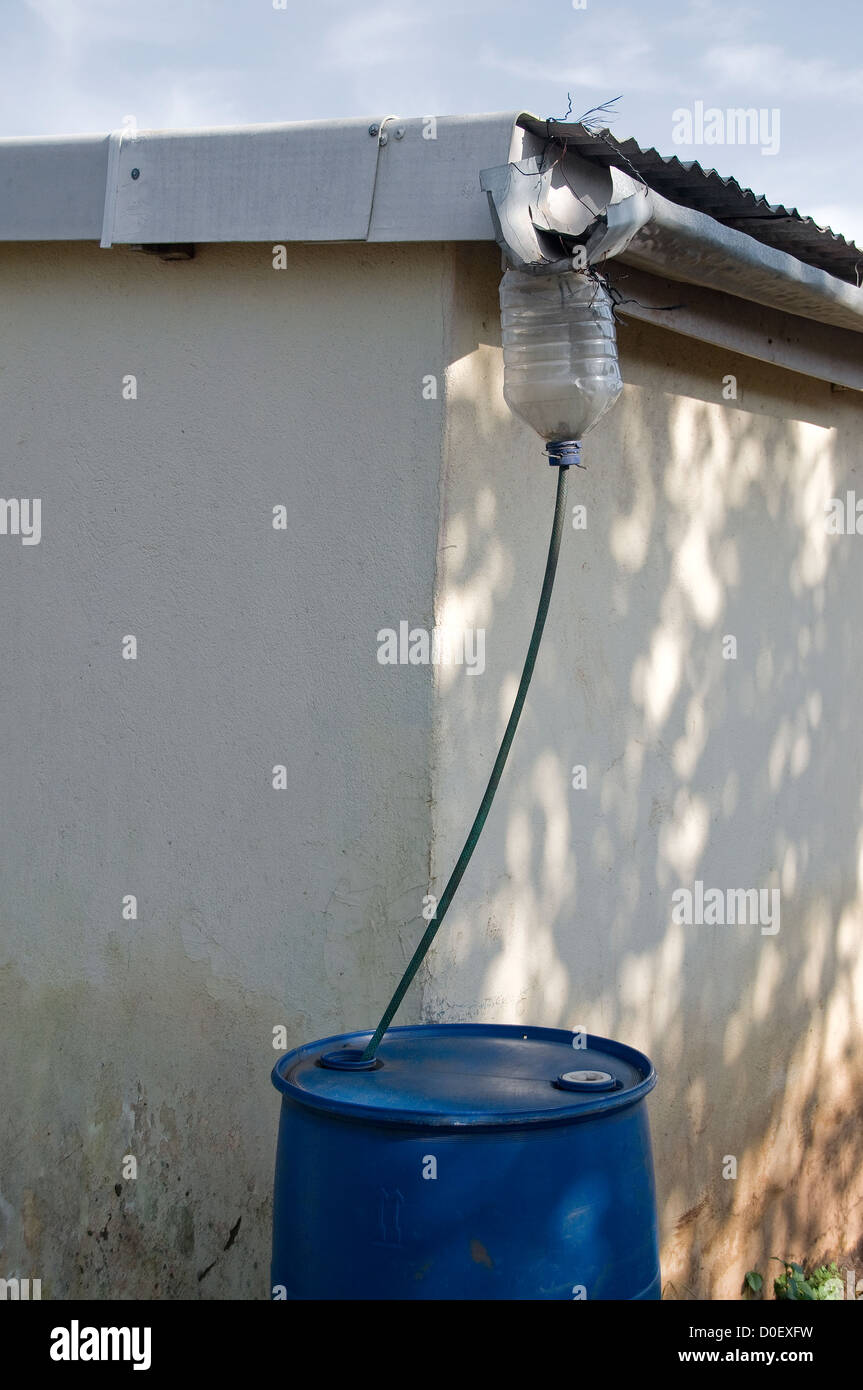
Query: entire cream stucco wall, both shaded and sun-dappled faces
{"points": [[263, 908]]}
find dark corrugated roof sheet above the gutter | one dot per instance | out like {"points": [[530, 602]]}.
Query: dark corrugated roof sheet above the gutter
{"points": [[725, 199]]}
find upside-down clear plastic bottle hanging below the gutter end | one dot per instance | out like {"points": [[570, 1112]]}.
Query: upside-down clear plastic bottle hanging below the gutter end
{"points": [[561, 372]]}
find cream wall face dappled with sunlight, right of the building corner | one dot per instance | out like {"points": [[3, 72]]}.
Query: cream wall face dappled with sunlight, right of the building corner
{"points": [[705, 519]]}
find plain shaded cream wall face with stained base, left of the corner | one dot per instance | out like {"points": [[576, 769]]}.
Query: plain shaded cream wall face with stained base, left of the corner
{"points": [[258, 908]]}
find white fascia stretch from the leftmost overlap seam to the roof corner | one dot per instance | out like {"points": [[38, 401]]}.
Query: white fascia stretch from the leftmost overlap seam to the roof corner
{"points": [[318, 181]]}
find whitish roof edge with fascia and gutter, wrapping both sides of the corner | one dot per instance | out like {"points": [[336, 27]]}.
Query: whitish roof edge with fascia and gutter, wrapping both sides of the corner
{"points": [[394, 180]]}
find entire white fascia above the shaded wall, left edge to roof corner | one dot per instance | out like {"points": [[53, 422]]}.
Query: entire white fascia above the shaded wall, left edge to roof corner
{"points": [[312, 181]]}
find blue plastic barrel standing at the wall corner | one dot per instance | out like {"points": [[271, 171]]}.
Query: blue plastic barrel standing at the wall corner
{"points": [[475, 1161]]}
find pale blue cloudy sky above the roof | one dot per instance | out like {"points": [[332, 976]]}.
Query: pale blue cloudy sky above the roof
{"points": [[72, 66]]}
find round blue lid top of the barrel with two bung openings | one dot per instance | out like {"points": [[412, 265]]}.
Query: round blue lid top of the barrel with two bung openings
{"points": [[480, 1075]]}
